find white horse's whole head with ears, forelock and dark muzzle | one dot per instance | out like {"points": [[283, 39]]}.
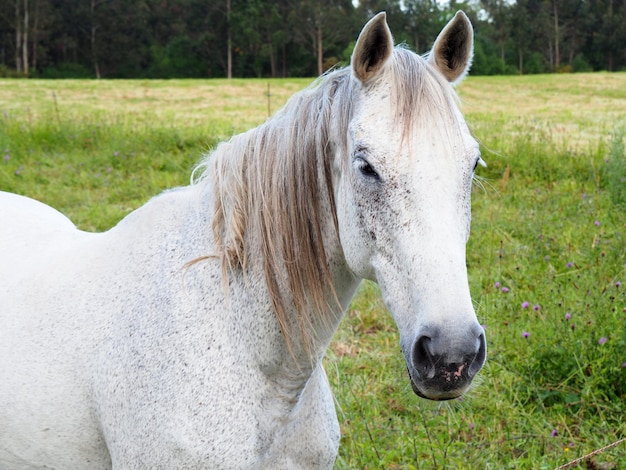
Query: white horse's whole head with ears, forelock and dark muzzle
{"points": [[402, 185]]}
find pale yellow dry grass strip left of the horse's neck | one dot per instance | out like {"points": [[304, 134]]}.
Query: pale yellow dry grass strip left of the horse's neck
{"points": [[230, 106]]}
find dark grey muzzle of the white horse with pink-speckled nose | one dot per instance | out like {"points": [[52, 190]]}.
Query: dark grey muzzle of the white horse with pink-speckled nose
{"points": [[443, 369]]}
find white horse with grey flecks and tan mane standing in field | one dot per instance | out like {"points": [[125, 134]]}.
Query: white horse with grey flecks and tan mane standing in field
{"points": [[191, 335]]}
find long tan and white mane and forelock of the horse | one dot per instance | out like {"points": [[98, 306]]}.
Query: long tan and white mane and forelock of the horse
{"points": [[273, 186]]}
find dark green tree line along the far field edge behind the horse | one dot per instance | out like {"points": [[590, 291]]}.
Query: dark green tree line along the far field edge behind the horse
{"points": [[262, 38]]}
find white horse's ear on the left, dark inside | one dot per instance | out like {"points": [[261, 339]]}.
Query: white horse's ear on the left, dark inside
{"points": [[372, 49]]}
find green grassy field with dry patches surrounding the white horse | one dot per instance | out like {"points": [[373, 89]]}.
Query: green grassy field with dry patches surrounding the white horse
{"points": [[547, 256]]}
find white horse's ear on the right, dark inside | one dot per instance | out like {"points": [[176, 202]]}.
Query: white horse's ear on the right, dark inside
{"points": [[453, 49]]}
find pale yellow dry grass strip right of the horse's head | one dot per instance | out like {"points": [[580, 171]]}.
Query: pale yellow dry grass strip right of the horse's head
{"points": [[579, 109]]}
